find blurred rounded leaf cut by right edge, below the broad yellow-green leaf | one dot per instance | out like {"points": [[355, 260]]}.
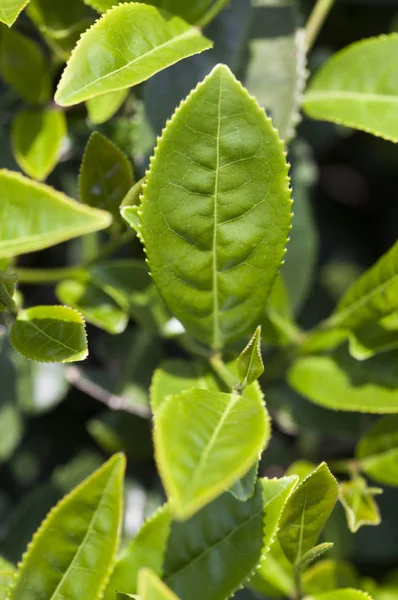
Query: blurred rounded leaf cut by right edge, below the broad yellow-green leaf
{"points": [[377, 451]]}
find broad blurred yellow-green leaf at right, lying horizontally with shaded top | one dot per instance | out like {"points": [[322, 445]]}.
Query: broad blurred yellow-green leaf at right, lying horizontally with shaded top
{"points": [[339, 382]]}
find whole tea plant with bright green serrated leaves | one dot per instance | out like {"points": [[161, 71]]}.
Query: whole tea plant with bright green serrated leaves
{"points": [[213, 213]]}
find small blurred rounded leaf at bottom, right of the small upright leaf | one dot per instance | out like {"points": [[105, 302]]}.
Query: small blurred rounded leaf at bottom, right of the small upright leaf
{"points": [[328, 575]]}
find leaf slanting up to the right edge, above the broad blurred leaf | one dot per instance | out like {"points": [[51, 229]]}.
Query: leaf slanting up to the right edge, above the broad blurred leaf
{"points": [[373, 295]]}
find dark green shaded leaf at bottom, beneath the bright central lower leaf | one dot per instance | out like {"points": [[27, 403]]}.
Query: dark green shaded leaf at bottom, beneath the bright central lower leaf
{"points": [[216, 564]]}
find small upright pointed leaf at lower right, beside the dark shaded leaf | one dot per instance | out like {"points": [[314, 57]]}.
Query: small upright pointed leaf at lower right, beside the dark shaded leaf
{"points": [[306, 513]]}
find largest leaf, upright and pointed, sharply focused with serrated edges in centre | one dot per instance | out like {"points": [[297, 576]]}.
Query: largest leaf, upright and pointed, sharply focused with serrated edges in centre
{"points": [[217, 196]]}
